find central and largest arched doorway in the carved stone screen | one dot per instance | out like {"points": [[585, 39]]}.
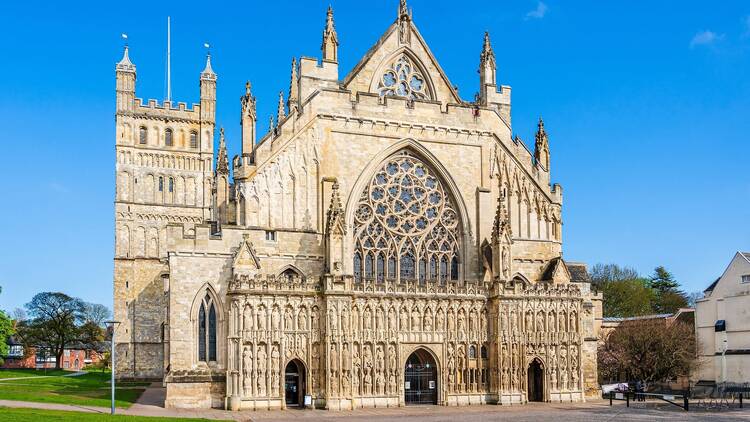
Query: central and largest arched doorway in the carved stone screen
{"points": [[420, 379]]}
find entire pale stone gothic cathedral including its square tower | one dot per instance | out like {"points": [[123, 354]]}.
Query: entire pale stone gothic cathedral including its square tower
{"points": [[384, 243]]}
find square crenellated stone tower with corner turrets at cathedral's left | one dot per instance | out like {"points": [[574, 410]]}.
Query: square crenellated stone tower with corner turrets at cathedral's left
{"points": [[164, 174]]}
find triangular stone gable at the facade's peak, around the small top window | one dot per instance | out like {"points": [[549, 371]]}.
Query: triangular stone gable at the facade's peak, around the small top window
{"points": [[392, 46]]}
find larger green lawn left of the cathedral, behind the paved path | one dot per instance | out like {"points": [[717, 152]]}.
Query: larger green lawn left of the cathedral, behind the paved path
{"points": [[90, 389]]}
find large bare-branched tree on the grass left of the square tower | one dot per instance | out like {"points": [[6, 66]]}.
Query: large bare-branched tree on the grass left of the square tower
{"points": [[57, 321]]}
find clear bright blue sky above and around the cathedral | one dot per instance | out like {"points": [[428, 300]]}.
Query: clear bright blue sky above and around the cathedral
{"points": [[646, 103]]}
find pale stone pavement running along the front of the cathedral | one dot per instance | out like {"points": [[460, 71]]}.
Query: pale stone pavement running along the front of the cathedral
{"points": [[150, 404]]}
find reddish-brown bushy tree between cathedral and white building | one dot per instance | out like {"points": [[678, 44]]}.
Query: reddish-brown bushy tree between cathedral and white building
{"points": [[650, 350]]}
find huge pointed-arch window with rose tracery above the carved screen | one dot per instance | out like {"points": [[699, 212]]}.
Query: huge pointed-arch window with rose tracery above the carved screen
{"points": [[407, 215]]}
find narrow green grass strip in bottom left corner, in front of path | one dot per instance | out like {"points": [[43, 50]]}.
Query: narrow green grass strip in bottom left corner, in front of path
{"points": [[36, 415]]}
